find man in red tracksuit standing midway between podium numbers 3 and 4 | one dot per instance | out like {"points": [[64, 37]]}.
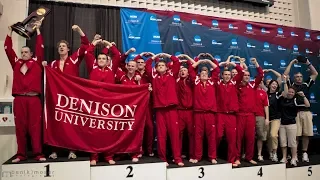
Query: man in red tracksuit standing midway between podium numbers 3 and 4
{"points": [[226, 90]]}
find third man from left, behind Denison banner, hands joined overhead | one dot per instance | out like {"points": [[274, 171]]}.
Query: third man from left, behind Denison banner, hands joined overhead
{"points": [[104, 70]]}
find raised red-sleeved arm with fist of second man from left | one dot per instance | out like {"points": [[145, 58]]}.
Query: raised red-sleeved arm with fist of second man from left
{"points": [[77, 56]]}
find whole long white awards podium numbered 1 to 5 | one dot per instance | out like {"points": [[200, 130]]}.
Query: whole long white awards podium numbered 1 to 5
{"points": [[151, 168]]}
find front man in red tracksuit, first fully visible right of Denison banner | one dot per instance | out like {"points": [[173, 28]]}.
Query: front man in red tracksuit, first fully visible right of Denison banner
{"points": [[165, 102]]}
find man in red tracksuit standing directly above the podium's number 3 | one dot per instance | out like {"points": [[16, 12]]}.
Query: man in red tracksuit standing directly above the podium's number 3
{"points": [[204, 108]]}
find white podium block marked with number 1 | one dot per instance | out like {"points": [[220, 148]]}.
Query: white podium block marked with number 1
{"points": [[61, 169]]}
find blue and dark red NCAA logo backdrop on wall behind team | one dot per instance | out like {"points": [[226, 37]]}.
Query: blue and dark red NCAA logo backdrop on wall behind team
{"points": [[274, 46]]}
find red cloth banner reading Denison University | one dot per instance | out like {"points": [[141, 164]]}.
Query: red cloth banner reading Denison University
{"points": [[92, 116]]}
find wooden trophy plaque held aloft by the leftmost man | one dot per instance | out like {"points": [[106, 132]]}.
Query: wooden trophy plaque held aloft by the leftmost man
{"points": [[27, 28]]}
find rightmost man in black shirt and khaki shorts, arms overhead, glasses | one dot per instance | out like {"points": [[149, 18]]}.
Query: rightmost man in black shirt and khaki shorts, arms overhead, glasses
{"points": [[304, 116]]}
